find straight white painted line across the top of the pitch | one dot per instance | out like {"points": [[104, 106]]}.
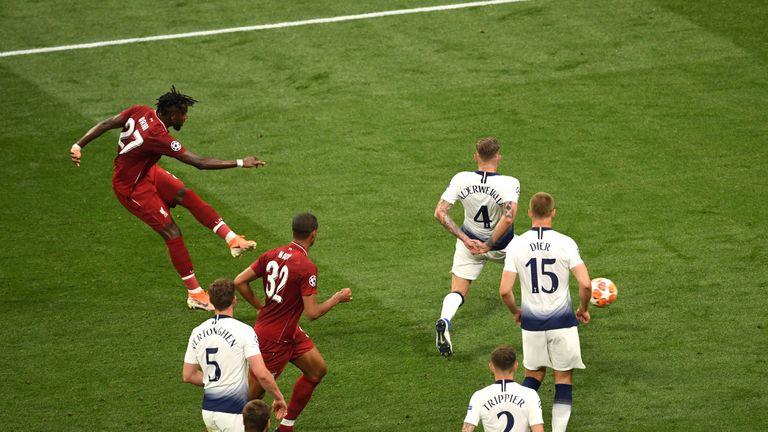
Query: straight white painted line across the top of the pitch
{"points": [[256, 27]]}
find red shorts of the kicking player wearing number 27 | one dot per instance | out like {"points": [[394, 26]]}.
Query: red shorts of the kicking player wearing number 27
{"points": [[152, 198]]}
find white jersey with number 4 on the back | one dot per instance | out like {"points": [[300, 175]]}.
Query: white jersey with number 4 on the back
{"points": [[483, 195]]}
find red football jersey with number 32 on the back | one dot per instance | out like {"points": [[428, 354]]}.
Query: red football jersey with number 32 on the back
{"points": [[288, 275]]}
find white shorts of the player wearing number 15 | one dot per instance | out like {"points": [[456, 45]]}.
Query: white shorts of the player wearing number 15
{"points": [[558, 349]]}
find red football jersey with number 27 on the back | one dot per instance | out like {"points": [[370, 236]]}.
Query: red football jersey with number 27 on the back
{"points": [[143, 141]]}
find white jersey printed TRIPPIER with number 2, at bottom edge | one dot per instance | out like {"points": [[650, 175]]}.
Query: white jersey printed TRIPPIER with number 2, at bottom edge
{"points": [[505, 406]]}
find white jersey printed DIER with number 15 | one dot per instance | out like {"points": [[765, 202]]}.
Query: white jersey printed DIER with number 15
{"points": [[542, 259]]}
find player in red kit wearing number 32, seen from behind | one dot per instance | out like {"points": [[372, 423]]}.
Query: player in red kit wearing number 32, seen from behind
{"points": [[290, 288]]}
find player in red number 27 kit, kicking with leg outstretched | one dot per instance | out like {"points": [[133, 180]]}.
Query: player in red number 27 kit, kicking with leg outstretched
{"points": [[149, 192]]}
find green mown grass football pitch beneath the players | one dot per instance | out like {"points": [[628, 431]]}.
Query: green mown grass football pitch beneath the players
{"points": [[646, 120]]}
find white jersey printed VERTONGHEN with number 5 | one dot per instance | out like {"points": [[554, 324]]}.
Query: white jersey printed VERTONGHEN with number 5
{"points": [[221, 346]]}
